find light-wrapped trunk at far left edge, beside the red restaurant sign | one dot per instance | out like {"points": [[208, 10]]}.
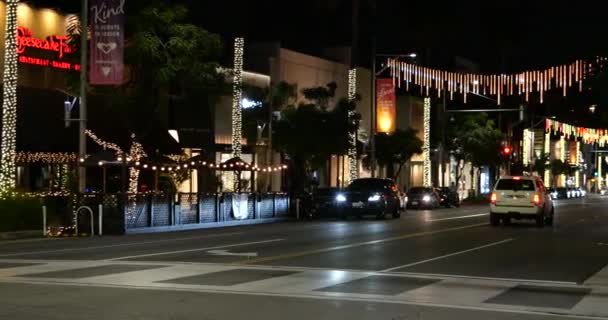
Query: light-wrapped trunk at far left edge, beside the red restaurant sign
{"points": [[9, 105]]}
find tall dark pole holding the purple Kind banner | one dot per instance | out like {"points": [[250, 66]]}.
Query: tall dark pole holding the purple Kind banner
{"points": [[82, 139]]}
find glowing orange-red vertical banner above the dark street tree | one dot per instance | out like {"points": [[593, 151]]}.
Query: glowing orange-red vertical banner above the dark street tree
{"points": [[386, 102]]}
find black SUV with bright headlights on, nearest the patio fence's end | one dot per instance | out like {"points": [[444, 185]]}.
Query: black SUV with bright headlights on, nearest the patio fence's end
{"points": [[369, 196]]}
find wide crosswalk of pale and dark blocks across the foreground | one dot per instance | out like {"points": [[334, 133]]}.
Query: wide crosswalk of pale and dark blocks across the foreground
{"points": [[389, 287]]}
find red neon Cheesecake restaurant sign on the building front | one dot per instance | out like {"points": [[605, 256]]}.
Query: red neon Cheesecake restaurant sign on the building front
{"points": [[54, 43]]}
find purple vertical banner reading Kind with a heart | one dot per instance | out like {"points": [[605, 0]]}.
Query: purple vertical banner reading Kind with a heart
{"points": [[107, 41]]}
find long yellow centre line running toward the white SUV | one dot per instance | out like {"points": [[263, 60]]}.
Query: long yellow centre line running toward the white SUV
{"points": [[354, 245]]}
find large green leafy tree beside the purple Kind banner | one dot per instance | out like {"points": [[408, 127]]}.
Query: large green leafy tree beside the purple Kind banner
{"points": [[166, 58]]}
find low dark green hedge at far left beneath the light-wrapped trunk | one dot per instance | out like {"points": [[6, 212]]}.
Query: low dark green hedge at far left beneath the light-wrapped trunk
{"points": [[19, 214]]}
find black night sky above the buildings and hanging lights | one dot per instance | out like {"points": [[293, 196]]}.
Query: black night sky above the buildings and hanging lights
{"points": [[501, 36]]}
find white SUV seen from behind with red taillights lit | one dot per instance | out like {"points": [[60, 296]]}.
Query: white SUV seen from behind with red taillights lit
{"points": [[521, 197]]}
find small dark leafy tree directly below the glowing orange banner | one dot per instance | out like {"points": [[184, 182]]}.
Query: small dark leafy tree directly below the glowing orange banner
{"points": [[397, 148]]}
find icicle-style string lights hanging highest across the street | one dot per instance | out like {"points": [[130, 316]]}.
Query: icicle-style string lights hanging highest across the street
{"points": [[524, 83]]}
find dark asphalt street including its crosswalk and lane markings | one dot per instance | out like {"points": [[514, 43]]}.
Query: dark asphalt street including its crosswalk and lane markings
{"points": [[442, 264]]}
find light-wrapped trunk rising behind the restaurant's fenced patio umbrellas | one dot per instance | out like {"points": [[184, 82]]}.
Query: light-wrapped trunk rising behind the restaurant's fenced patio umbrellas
{"points": [[237, 92]]}
